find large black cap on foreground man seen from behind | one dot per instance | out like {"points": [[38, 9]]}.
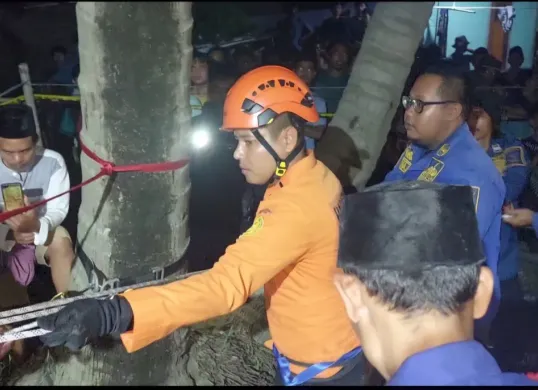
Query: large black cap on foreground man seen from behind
{"points": [[410, 226]]}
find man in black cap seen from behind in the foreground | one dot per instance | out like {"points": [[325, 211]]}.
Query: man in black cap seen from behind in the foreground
{"points": [[414, 282]]}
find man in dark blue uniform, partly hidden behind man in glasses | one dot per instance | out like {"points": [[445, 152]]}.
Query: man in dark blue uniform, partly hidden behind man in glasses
{"points": [[509, 156]]}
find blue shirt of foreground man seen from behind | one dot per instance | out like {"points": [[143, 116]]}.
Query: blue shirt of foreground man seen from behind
{"points": [[465, 363]]}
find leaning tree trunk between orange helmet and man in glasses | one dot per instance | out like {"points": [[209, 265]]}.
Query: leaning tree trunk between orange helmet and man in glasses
{"points": [[353, 142]]}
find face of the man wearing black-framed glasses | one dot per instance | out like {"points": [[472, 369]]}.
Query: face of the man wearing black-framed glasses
{"points": [[427, 113]]}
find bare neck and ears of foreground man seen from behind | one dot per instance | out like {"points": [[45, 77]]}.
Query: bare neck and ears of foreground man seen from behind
{"points": [[390, 336]]}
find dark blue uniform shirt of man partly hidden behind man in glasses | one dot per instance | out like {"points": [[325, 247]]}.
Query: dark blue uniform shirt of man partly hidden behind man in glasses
{"points": [[509, 156]]}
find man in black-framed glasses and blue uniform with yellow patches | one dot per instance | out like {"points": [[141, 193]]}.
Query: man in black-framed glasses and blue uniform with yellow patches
{"points": [[443, 150]]}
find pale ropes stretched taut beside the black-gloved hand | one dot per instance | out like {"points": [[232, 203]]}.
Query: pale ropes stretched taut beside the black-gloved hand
{"points": [[43, 309]]}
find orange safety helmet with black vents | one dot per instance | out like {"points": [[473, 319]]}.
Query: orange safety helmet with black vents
{"points": [[262, 94]]}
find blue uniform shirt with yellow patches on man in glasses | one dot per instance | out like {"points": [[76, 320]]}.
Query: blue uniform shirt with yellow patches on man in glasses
{"points": [[460, 160]]}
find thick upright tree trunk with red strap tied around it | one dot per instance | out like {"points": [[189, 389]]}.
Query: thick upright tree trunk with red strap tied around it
{"points": [[135, 64]]}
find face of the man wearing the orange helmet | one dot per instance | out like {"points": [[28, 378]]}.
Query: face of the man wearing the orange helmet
{"points": [[256, 164]]}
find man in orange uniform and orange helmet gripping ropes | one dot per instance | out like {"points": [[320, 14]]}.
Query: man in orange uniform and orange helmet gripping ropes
{"points": [[291, 250]]}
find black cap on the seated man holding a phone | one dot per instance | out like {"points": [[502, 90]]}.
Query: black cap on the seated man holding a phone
{"points": [[16, 121]]}
